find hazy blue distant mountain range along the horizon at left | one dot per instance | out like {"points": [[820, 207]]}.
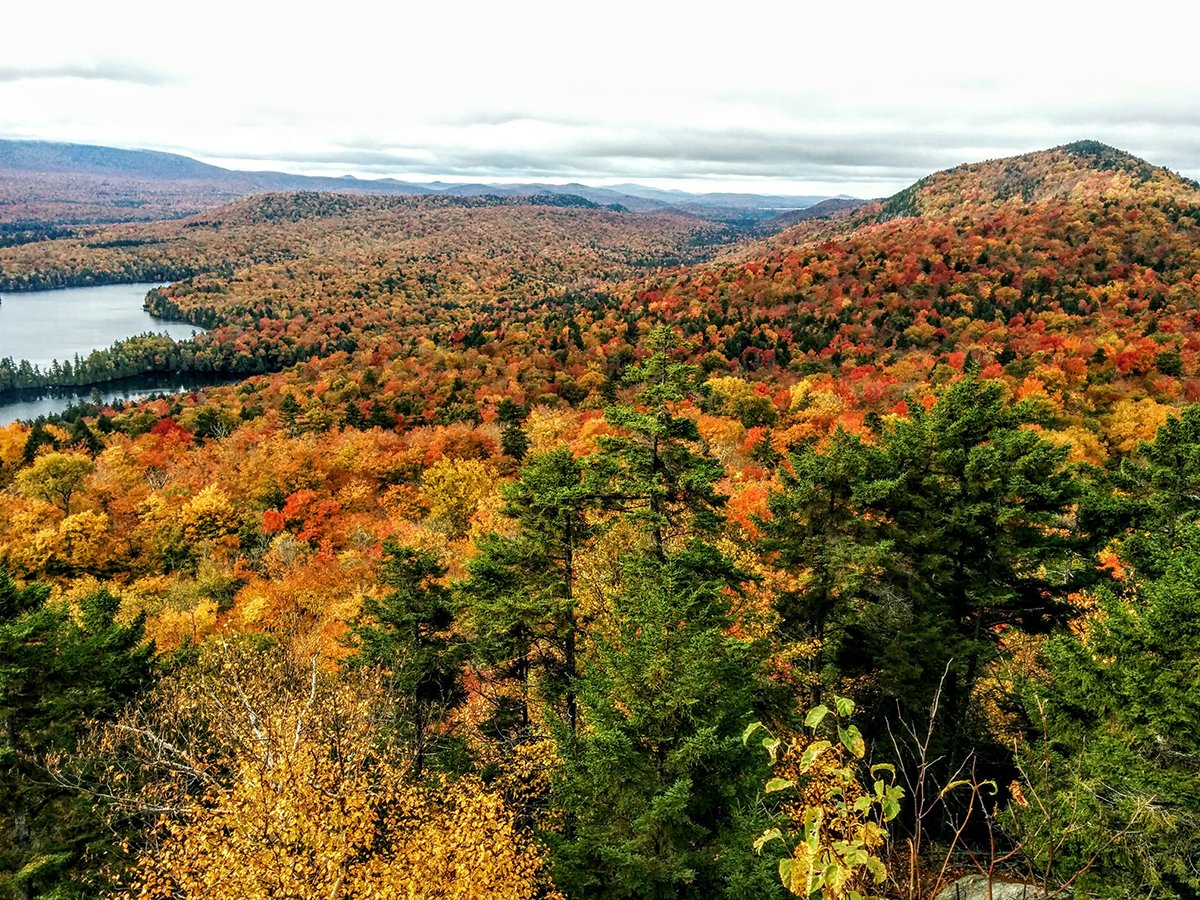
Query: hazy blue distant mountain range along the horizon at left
{"points": [[77, 184]]}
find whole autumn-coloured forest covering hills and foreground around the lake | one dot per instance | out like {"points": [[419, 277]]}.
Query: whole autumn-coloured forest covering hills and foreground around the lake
{"points": [[556, 551]]}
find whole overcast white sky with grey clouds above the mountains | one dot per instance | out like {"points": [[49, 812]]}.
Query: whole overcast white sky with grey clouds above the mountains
{"points": [[801, 98]]}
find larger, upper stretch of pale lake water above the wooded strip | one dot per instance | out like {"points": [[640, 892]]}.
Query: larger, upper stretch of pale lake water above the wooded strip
{"points": [[44, 326]]}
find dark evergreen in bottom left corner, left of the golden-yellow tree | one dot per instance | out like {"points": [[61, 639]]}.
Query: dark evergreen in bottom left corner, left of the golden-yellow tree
{"points": [[59, 671]]}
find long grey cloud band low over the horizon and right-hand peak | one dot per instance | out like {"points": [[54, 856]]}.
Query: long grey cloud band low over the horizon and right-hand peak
{"points": [[890, 154]]}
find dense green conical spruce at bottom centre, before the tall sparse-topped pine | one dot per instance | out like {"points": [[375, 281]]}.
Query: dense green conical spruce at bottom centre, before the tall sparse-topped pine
{"points": [[655, 777]]}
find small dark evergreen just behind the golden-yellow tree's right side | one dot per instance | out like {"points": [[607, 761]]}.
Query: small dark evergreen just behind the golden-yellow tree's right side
{"points": [[407, 635]]}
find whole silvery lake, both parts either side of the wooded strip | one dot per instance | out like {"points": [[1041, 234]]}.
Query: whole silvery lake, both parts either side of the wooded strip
{"points": [[44, 326]]}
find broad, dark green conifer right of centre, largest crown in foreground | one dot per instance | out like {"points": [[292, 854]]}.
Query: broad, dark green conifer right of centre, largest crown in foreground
{"points": [[979, 513]]}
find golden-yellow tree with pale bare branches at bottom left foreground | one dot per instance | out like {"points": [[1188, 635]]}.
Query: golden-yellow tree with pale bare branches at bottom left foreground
{"points": [[278, 784]]}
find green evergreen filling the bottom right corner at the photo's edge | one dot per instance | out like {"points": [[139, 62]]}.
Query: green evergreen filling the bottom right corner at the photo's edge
{"points": [[1113, 781]]}
